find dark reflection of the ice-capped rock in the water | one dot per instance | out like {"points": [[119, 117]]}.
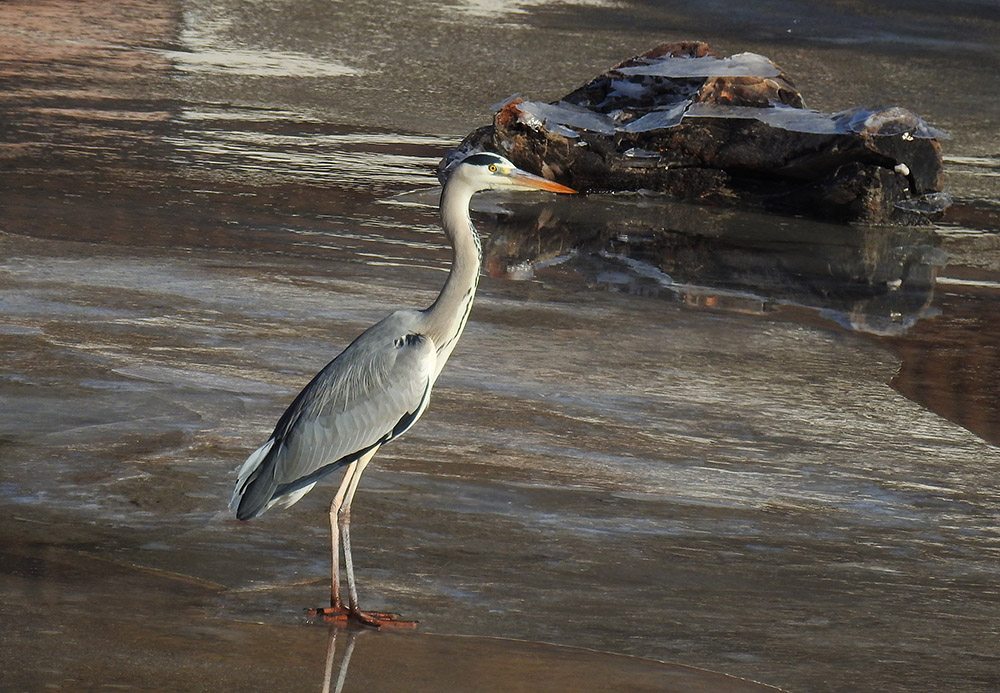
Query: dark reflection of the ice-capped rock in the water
{"points": [[873, 280]]}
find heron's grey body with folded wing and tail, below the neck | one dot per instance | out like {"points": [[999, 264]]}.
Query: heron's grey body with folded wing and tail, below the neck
{"points": [[373, 392]]}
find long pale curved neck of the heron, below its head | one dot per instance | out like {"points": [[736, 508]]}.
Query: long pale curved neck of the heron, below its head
{"points": [[446, 317]]}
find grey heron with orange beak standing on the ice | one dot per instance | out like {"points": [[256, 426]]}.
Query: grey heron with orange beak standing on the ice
{"points": [[378, 387]]}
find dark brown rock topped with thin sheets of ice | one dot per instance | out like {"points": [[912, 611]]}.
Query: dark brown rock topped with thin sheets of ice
{"points": [[731, 131]]}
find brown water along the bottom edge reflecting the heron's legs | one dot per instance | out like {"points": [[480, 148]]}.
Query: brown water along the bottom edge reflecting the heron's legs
{"points": [[77, 621]]}
